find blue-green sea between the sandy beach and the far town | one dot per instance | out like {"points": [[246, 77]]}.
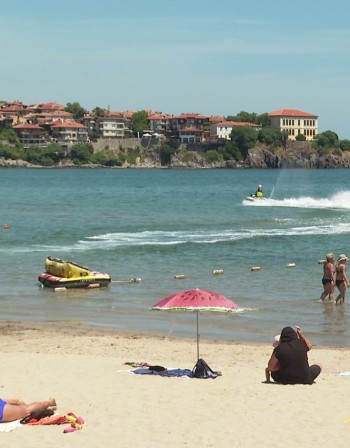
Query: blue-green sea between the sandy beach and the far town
{"points": [[154, 225]]}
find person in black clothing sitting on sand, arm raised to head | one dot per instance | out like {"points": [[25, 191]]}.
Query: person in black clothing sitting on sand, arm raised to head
{"points": [[291, 354]]}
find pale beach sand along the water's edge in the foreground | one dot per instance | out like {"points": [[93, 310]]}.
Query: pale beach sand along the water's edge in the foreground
{"points": [[85, 370]]}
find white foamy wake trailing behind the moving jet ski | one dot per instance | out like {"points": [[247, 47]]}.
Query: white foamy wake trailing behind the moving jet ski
{"points": [[338, 201]]}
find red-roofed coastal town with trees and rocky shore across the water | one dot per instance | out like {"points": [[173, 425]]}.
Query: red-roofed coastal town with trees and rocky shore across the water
{"points": [[51, 134]]}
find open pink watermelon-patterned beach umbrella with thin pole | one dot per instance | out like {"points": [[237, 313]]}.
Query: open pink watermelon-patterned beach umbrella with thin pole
{"points": [[197, 300]]}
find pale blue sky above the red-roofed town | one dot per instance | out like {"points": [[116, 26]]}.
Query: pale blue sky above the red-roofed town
{"points": [[173, 56]]}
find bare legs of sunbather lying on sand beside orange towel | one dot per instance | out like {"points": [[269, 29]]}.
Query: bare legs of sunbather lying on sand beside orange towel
{"points": [[13, 409]]}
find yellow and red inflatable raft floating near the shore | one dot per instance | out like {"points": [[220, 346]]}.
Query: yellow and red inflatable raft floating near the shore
{"points": [[67, 274]]}
